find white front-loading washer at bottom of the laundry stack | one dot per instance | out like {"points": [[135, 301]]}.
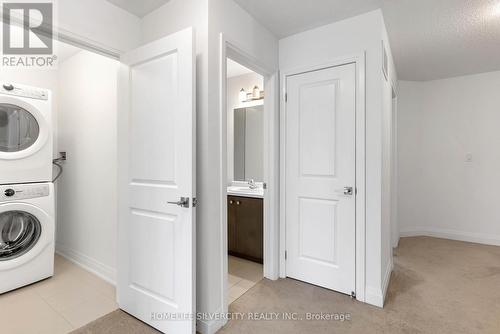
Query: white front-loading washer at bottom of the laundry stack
{"points": [[27, 235]]}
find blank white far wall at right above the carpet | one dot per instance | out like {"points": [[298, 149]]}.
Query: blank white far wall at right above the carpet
{"points": [[439, 123]]}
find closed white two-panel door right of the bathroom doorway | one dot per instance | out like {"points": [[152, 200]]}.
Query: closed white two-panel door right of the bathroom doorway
{"points": [[320, 164]]}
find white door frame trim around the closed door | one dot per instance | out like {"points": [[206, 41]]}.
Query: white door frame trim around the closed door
{"points": [[359, 61]]}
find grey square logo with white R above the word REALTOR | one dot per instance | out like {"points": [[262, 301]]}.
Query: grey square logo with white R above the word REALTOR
{"points": [[36, 22]]}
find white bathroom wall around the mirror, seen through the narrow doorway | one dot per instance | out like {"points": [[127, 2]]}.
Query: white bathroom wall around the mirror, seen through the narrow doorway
{"points": [[234, 84]]}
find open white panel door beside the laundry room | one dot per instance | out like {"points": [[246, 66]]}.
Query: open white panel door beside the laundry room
{"points": [[156, 246]]}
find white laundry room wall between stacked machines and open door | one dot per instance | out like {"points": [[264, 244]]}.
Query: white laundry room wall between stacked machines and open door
{"points": [[86, 230]]}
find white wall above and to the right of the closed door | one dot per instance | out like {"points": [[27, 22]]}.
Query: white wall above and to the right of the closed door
{"points": [[342, 39]]}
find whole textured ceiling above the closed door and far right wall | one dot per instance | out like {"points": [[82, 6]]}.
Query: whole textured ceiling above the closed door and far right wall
{"points": [[430, 39]]}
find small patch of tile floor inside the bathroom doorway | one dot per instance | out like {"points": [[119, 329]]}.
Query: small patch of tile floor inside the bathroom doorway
{"points": [[243, 275]]}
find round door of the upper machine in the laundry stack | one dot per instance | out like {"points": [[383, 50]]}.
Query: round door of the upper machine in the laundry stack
{"points": [[23, 129]]}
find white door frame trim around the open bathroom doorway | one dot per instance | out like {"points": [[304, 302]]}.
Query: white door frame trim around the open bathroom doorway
{"points": [[230, 48]]}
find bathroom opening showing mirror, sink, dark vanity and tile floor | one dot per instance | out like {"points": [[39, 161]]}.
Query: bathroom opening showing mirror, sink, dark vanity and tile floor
{"points": [[245, 179]]}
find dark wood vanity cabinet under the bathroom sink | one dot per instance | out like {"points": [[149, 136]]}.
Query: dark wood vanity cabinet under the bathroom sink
{"points": [[245, 228]]}
